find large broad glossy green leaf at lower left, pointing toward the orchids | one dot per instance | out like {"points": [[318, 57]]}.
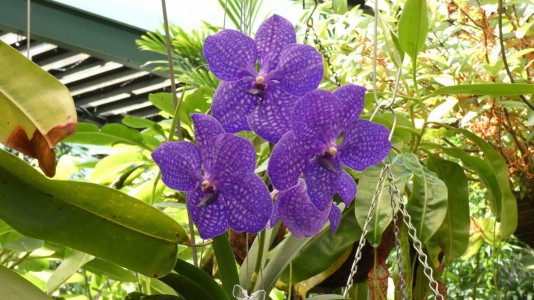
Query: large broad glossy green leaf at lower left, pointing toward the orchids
{"points": [[88, 217]]}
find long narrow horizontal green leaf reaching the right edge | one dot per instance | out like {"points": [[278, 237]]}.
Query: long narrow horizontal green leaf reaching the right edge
{"points": [[491, 89]]}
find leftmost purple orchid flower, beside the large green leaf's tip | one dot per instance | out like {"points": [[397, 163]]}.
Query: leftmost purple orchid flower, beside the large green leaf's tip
{"points": [[218, 177]]}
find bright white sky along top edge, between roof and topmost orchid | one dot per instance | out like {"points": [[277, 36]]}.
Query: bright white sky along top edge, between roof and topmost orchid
{"points": [[147, 14]]}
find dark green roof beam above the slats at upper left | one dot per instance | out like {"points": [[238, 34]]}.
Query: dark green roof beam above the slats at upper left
{"points": [[77, 30]]}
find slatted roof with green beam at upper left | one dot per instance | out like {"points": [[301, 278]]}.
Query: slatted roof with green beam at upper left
{"points": [[96, 58]]}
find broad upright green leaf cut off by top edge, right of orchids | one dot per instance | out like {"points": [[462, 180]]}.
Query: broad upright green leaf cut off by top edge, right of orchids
{"points": [[413, 27]]}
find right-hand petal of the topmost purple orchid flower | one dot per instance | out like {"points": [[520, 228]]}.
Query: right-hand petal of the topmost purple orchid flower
{"points": [[300, 69]]}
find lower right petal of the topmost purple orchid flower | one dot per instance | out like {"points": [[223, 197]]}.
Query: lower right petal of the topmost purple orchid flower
{"points": [[272, 117]]}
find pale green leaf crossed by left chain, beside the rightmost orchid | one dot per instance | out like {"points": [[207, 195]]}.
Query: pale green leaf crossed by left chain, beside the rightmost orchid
{"points": [[383, 213]]}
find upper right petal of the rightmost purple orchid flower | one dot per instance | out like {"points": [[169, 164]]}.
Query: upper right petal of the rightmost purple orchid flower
{"points": [[351, 97]]}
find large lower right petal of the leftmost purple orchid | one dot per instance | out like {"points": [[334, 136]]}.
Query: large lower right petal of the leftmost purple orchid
{"points": [[248, 201]]}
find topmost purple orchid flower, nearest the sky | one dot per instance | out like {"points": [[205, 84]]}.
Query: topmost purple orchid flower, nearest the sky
{"points": [[261, 99]]}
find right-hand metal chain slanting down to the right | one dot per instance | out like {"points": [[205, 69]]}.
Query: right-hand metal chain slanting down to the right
{"points": [[412, 232]]}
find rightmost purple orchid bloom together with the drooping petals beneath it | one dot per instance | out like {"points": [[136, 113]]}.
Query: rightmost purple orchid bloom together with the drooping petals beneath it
{"points": [[312, 148]]}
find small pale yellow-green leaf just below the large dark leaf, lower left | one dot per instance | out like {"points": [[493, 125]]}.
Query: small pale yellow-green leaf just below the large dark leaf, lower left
{"points": [[72, 262]]}
